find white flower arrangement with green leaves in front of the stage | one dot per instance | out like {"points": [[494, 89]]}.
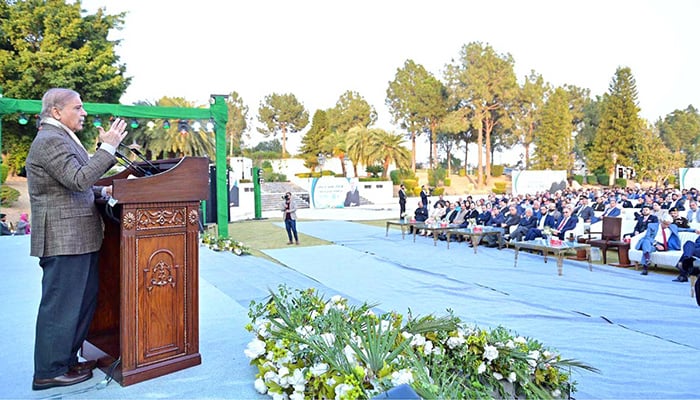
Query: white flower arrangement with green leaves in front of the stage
{"points": [[307, 347]]}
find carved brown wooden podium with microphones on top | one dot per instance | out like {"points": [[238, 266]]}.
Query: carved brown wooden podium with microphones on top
{"points": [[148, 303]]}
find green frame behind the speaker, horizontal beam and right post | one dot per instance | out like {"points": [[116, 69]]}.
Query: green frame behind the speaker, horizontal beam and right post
{"points": [[217, 111]]}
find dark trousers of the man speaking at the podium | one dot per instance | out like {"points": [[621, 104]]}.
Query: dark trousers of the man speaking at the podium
{"points": [[68, 300]]}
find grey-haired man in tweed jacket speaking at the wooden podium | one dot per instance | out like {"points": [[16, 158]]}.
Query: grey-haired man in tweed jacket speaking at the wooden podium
{"points": [[66, 234]]}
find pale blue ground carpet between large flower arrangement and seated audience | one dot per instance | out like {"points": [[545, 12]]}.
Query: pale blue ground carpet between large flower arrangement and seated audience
{"points": [[641, 332]]}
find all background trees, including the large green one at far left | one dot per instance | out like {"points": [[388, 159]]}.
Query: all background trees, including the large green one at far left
{"points": [[477, 100]]}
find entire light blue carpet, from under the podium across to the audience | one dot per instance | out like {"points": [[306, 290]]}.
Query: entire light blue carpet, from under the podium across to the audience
{"points": [[643, 333]]}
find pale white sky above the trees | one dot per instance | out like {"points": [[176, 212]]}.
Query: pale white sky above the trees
{"points": [[318, 50]]}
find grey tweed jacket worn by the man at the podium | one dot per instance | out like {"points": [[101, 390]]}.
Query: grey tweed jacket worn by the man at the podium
{"points": [[60, 179]]}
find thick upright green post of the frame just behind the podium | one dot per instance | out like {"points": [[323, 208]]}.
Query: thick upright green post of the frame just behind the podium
{"points": [[220, 113]]}
